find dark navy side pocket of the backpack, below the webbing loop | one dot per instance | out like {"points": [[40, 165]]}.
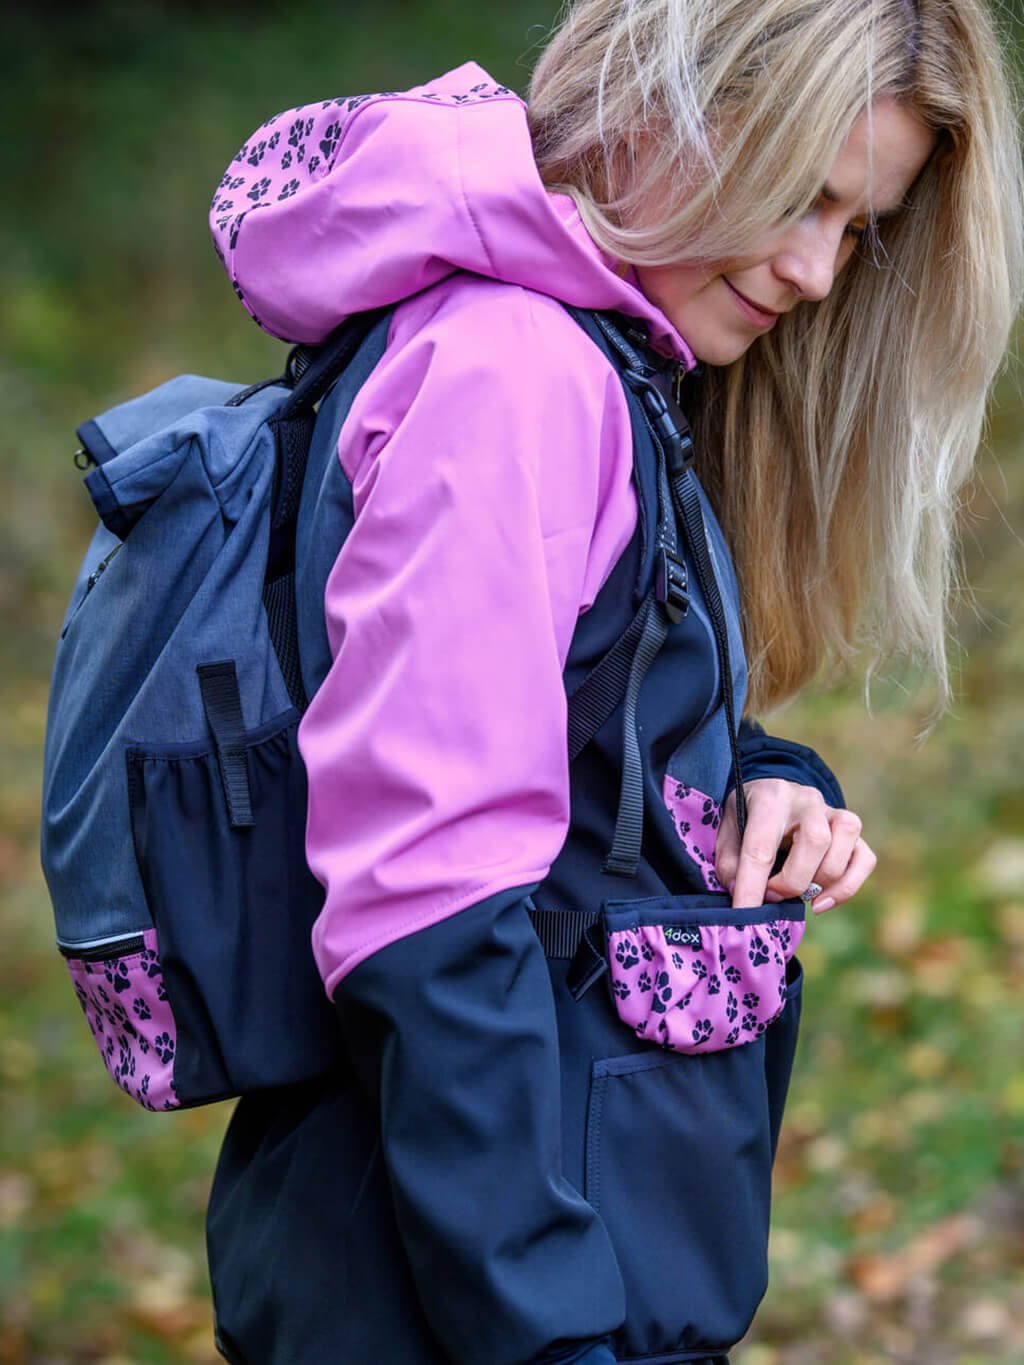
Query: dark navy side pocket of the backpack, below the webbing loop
{"points": [[234, 908]]}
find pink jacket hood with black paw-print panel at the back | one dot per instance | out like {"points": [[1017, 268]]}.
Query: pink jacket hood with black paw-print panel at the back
{"points": [[356, 204]]}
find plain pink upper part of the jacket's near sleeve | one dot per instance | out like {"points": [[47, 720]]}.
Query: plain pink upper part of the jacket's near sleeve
{"points": [[491, 459]]}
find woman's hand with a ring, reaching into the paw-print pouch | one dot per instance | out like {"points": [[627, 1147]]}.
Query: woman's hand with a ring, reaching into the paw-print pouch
{"points": [[824, 847]]}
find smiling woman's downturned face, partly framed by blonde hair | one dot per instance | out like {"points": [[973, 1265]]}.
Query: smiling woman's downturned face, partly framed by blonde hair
{"points": [[722, 308]]}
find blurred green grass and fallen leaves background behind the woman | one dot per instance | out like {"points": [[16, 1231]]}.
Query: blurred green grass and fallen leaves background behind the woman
{"points": [[899, 1231]]}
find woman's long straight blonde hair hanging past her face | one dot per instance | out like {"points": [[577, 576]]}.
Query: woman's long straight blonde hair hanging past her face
{"points": [[836, 448]]}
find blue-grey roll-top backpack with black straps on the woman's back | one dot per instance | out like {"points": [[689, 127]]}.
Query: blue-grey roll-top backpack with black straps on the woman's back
{"points": [[174, 807]]}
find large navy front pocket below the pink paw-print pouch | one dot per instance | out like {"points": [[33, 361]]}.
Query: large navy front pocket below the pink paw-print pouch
{"points": [[679, 1165]]}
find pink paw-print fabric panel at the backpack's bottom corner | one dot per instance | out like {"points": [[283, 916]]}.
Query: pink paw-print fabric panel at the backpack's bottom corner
{"points": [[136, 1034]]}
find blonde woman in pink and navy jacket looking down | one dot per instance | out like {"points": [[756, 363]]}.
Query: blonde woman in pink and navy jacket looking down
{"points": [[817, 204]]}
